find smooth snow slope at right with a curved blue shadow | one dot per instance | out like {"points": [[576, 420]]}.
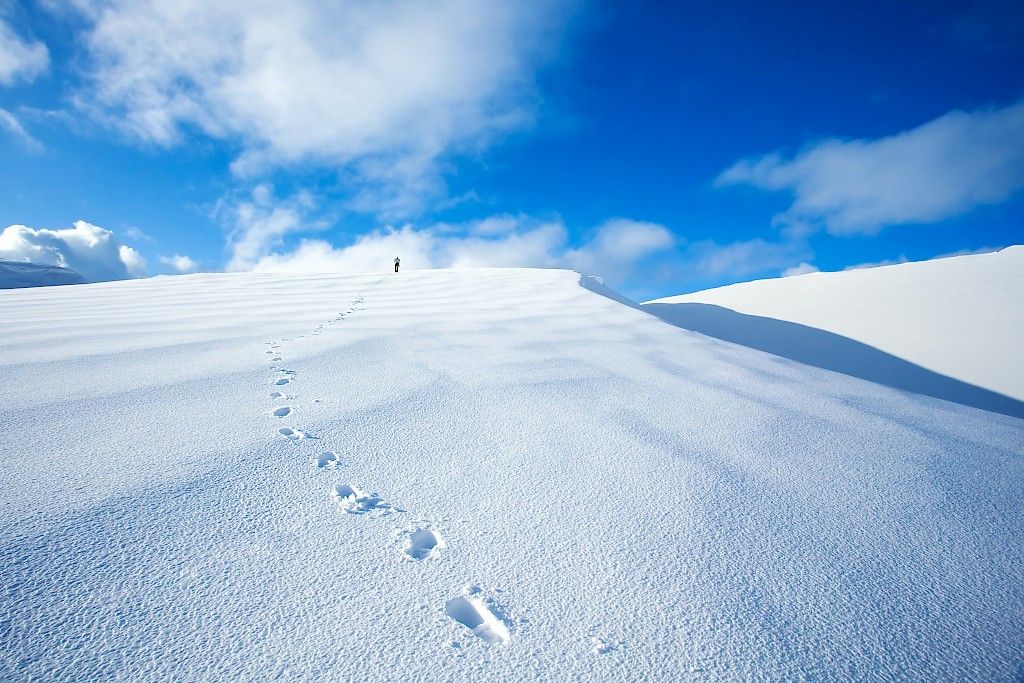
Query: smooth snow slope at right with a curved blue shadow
{"points": [[959, 319]]}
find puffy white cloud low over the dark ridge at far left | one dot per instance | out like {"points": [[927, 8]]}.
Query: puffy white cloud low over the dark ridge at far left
{"points": [[90, 250]]}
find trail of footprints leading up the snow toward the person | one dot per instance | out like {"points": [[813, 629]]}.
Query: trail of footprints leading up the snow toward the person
{"points": [[418, 542]]}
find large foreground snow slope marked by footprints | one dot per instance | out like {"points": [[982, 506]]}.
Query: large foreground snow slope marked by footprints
{"points": [[493, 475]]}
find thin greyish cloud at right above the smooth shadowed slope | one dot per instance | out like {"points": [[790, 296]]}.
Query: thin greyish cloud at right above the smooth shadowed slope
{"points": [[936, 172]]}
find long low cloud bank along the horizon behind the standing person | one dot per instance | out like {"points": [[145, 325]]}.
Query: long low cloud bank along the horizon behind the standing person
{"points": [[617, 250]]}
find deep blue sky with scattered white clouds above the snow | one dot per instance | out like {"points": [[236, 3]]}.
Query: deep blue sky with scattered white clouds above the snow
{"points": [[668, 147]]}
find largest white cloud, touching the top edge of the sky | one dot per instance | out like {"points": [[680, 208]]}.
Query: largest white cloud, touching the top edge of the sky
{"points": [[381, 91]]}
